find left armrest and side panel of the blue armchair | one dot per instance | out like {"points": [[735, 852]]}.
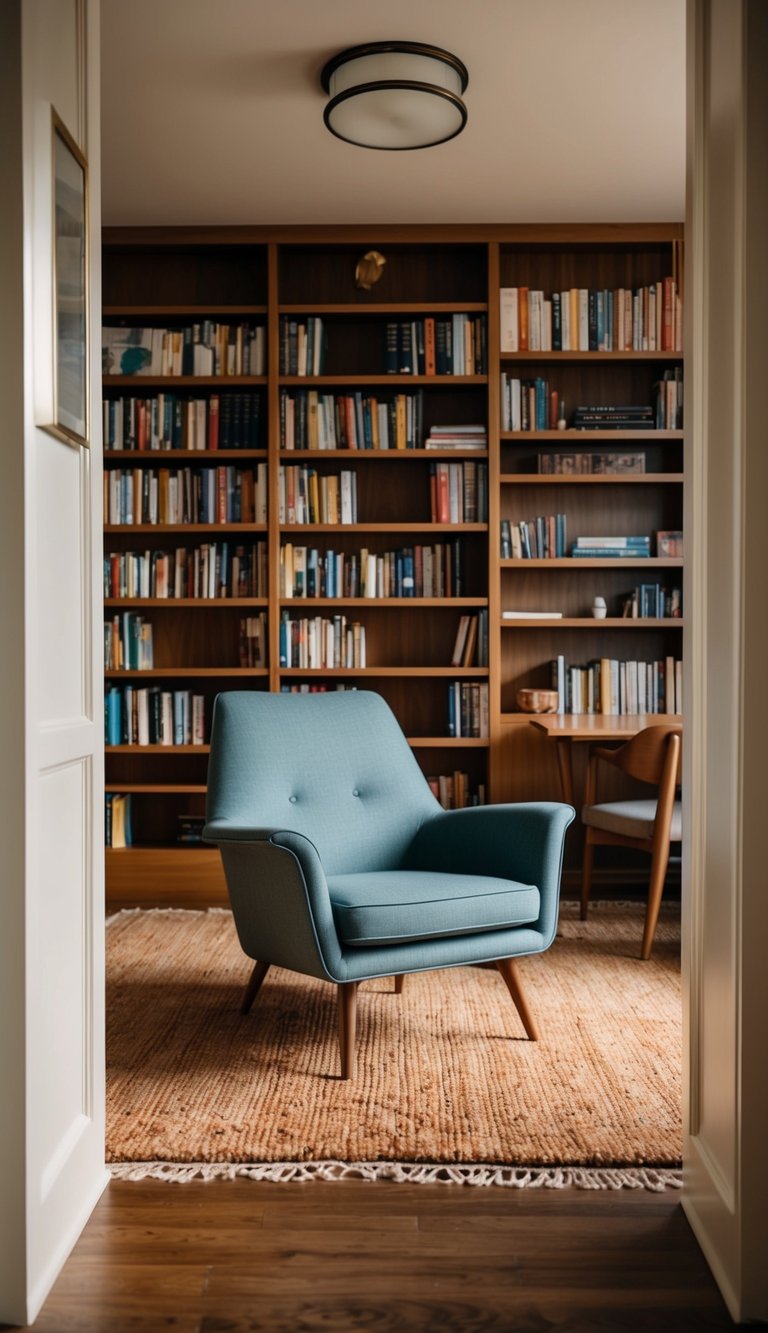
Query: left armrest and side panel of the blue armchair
{"points": [[279, 896]]}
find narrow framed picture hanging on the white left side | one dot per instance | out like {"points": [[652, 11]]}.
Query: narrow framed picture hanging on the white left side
{"points": [[70, 289]]}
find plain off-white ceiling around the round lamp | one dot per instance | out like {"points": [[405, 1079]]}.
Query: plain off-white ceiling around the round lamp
{"points": [[213, 113]]}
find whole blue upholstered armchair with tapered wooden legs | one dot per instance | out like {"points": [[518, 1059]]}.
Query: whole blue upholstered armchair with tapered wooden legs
{"points": [[341, 864]]}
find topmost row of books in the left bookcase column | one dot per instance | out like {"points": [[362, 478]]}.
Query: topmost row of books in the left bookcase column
{"points": [[209, 347]]}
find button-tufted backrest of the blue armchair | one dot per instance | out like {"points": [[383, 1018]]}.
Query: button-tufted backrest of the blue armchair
{"points": [[334, 767]]}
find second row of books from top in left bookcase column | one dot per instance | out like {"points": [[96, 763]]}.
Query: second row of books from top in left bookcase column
{"points": [[175, 422]]}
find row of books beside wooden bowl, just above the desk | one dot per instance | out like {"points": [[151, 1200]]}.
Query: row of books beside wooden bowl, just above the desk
{"points": [[613, 687]]}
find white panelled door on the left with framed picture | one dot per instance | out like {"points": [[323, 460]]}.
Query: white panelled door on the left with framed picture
{"points": [[53, 1012]]}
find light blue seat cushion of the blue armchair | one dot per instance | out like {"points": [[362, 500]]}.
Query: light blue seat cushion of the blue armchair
{"points": [[401, 907]]}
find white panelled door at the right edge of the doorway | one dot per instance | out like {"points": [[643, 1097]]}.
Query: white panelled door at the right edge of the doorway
{"points": [[726, 1158]]}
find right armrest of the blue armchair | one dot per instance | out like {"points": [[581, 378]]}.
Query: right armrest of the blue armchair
{"points": [[521, 842]]}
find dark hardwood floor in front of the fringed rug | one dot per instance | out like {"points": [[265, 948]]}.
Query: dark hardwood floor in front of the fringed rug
{"points": [[237, 1256]]}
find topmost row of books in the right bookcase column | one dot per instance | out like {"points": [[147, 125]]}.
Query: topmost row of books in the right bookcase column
{"points": [[579, 319]]}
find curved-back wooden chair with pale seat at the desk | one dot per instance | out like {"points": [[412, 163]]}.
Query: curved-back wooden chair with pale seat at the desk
{"points": [[649, 824]]}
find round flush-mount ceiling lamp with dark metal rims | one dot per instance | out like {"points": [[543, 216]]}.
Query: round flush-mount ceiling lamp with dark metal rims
{"points": [[395, 95]]}
